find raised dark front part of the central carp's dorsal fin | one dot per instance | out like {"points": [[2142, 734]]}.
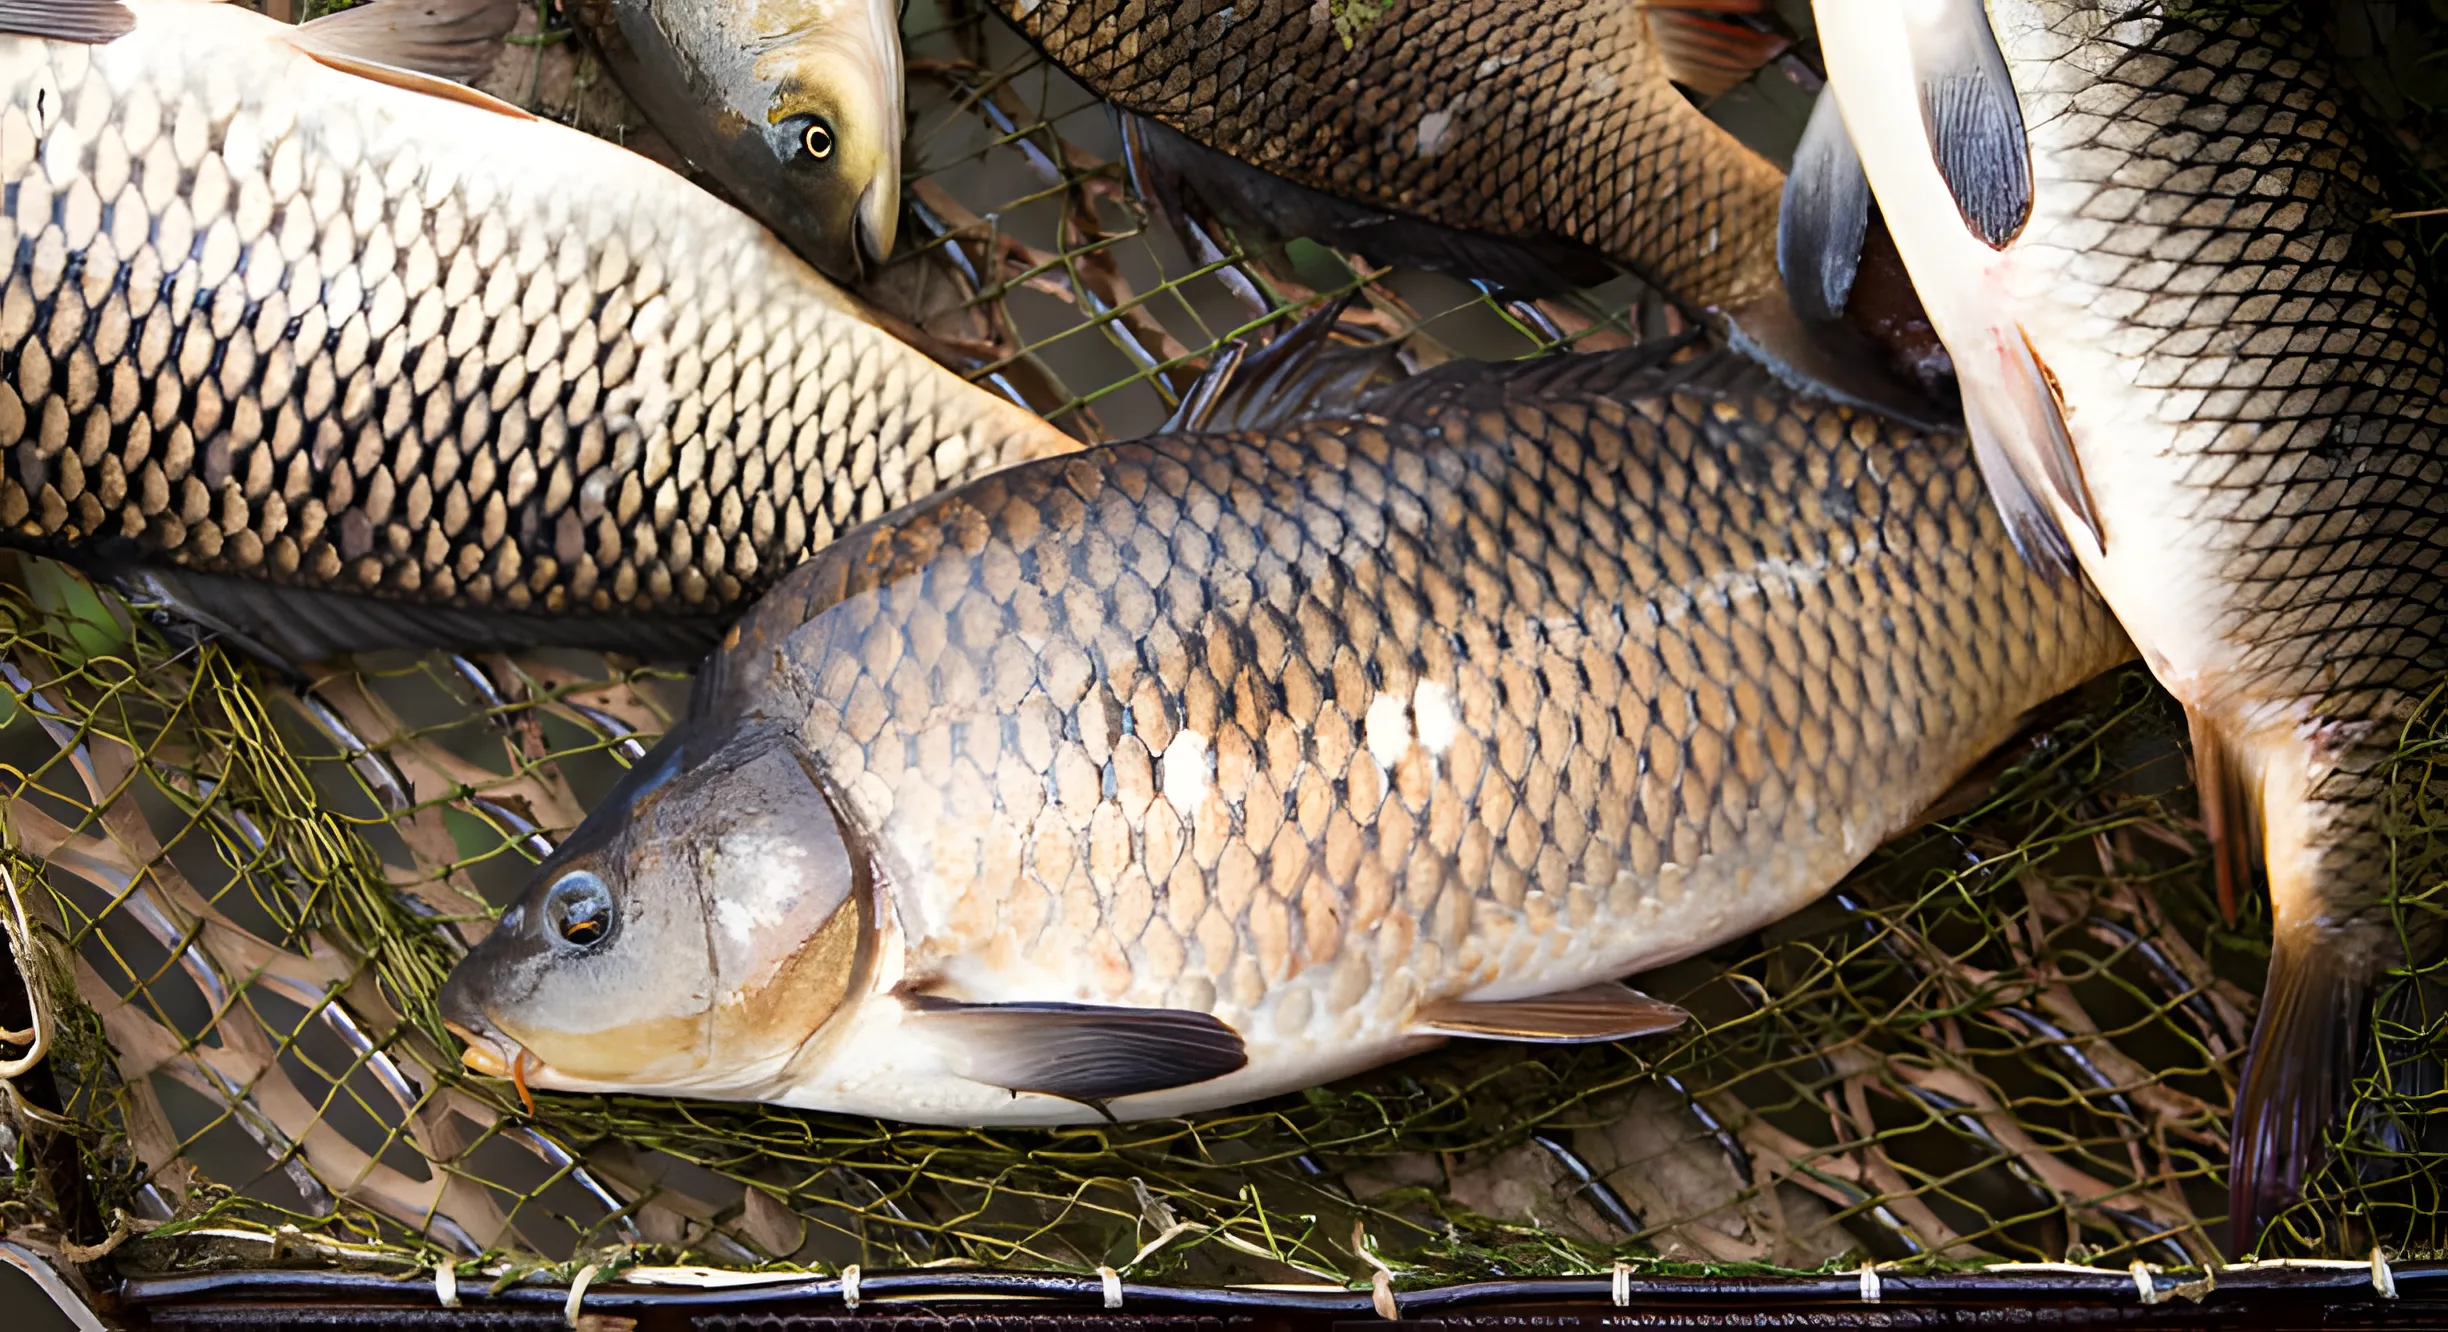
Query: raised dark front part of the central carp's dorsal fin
{"points": [[1301, 373]]}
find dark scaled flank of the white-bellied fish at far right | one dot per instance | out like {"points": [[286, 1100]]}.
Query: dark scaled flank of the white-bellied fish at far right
{"points": [[2204, 214]]}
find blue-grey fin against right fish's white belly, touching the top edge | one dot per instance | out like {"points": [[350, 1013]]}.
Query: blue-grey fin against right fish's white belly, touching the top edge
{"points": [[1972, 116]]}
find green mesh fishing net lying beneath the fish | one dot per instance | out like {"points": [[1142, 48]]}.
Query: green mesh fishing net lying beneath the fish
{"points": [[2011, 1037]]}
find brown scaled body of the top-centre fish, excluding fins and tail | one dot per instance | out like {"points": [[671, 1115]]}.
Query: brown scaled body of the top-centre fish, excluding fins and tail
{"points": [[1543, 121]]}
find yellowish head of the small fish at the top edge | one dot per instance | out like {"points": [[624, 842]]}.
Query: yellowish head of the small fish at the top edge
{"points": [[831, 138]]}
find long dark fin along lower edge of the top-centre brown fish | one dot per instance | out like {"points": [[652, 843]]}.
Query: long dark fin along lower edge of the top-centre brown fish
{"points": [[1259, 204]]}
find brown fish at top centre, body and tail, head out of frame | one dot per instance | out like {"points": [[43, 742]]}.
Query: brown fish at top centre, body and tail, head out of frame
{"points": [[1531, 143]]}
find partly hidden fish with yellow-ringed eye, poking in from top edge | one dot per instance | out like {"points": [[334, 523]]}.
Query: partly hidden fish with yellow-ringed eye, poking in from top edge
{"points": [[792, 107]]}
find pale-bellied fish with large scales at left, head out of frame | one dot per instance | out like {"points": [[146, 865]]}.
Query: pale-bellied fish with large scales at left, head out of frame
{"points": [[332, 354]]}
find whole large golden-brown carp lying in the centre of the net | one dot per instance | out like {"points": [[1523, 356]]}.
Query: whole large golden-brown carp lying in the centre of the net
{"points": [[1215, 765]]}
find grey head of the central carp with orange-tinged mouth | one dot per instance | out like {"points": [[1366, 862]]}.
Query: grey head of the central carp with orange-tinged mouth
{"points": [[694, 941]]}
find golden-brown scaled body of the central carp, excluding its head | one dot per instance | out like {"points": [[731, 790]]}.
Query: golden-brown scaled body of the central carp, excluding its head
{"points": [[1521, 679]]}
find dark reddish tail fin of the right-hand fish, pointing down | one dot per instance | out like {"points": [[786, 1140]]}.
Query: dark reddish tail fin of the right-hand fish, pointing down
{"points": [[2295, 1076]]}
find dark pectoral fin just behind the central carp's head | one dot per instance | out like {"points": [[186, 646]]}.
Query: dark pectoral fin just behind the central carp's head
{"points": [[1081, 1052]]}
